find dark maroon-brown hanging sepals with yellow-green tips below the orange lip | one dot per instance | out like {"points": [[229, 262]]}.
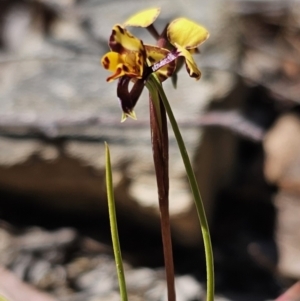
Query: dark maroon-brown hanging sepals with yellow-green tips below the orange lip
{"points": [[128, 99]]}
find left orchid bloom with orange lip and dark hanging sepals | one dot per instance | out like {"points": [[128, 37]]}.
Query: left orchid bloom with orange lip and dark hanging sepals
{"points": [[128, 60]]}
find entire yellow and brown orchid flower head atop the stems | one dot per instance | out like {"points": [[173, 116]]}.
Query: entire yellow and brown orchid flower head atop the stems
{"points": [[130, 60]]}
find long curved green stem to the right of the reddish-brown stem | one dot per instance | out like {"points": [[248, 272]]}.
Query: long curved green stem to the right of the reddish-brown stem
{"points": [[154, 82]]}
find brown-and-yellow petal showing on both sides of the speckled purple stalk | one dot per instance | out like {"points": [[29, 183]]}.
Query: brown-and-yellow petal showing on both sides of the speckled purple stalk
{"points": [[156, 54]]}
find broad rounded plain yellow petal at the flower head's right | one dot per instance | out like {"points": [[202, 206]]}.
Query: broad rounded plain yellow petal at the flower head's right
{"points": [[186, 33]]}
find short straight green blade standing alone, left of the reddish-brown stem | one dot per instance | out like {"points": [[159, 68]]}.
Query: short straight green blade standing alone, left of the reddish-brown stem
{"points": [[114, 227]]}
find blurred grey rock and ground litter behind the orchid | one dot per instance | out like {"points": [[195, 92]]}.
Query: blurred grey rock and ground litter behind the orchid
{"points": [[240, 123]]}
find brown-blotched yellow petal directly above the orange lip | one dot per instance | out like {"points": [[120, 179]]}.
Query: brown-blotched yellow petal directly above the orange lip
{"points": [[121, 40]]}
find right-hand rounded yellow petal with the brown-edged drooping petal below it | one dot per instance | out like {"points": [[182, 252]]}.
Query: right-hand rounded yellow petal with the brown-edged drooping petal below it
{"points": [[186, 35]]}
